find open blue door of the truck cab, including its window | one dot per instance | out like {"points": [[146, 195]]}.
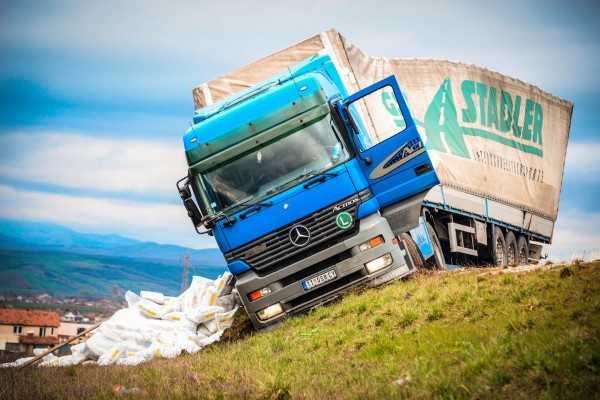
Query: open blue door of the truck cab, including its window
{"points": [[391, 152]]}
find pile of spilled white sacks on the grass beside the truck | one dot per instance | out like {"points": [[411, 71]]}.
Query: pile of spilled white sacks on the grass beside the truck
{"points": [[157, 326]]}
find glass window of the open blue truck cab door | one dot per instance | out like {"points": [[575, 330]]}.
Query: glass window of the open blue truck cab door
{"points": [[376, 117]]}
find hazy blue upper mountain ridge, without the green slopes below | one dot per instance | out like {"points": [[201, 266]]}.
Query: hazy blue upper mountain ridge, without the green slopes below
{"points": [[25, 235]]}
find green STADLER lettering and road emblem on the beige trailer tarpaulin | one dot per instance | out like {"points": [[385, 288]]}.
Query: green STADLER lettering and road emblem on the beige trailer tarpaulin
{"points": [[490, 113]]}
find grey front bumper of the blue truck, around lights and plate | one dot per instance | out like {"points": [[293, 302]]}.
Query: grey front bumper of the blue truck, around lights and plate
{"points": [[286, 283]]}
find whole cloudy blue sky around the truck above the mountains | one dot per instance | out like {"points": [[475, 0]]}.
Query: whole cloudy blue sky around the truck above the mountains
{"points": [[95, 96]]}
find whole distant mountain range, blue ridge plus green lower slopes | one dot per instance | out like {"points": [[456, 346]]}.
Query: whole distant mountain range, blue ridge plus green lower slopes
{"points": [[44, 257]]}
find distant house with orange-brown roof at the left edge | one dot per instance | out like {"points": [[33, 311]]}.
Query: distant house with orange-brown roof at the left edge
{"points": [[21, 331]]}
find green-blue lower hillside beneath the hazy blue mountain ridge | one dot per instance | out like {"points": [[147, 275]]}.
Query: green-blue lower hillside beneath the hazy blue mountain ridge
{"points": [[65, 275]]}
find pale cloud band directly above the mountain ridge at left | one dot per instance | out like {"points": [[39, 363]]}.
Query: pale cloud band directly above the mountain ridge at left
{"points": [[162, 223]]}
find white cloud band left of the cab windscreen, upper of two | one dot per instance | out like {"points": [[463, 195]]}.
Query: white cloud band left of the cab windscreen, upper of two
{"points": [[143, 167]]}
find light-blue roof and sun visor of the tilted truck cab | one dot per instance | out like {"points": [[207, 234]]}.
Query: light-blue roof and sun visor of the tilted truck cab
{"points": [[272, 107]]}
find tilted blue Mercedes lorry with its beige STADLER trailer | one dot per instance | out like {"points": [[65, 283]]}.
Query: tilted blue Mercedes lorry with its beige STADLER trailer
{"points": [[319, 168]]}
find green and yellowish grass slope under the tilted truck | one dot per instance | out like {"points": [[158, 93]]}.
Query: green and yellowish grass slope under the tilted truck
{"points": [[465, 334]]}
